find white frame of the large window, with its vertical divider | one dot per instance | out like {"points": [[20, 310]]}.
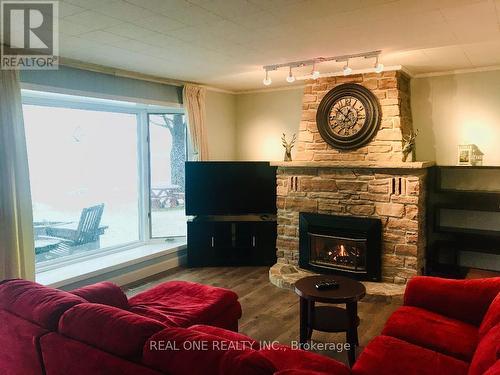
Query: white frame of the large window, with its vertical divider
{"points": [[142, 112]]}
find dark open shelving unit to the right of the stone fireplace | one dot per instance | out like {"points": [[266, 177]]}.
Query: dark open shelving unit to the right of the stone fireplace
{"points": [[478, 206]]}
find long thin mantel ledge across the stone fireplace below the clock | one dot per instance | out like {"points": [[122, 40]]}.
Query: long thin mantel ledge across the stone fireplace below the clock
{"points": [[353, 164]]}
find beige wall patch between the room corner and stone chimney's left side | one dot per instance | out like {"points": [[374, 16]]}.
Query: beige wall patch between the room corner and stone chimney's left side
{"points": [[261, 119]]}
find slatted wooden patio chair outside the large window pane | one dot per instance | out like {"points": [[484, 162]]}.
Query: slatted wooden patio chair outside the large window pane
{"points": [[88, 229]]}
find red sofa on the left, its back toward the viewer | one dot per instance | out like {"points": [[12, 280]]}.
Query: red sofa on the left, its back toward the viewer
{"points": [[97, 330]]}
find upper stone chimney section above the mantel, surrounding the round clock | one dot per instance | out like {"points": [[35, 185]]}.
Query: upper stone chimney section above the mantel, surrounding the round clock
{"points": [[393, 92]]}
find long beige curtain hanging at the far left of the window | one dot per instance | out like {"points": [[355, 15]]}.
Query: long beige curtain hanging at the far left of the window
{"points": [[17, 257]]}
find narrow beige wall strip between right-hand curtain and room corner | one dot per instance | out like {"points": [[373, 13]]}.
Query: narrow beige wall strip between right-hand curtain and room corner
{"points": [[221, 125]]}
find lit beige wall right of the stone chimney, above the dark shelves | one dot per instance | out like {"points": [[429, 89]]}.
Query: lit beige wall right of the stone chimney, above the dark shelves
{"points": [[457, 109]]}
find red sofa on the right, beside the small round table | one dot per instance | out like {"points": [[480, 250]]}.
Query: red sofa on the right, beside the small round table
{"points": [[445, 327]]}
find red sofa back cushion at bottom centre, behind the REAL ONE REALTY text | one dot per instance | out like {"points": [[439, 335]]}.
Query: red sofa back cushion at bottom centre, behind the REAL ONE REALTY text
{"points": [[181, 351]]}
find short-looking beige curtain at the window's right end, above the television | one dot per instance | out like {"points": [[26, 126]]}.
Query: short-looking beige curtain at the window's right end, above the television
{"points": [[194, 102]]}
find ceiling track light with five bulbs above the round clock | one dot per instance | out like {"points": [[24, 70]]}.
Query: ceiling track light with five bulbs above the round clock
{"points": [[315, 74]]}
